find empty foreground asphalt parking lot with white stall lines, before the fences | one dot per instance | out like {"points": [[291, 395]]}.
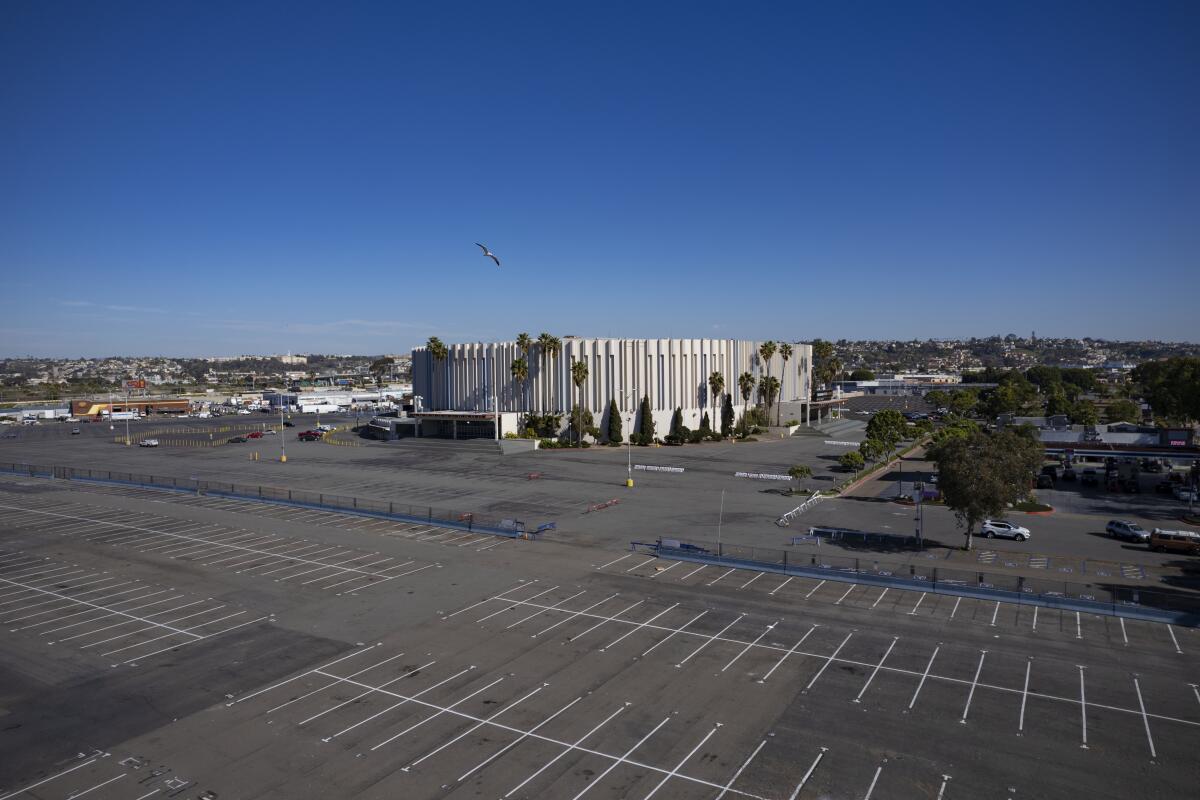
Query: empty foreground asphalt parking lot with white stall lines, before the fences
{"points": [[166, 645]]}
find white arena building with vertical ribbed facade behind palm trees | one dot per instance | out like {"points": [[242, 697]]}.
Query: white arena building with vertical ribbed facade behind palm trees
{"points": [[475, 386]]}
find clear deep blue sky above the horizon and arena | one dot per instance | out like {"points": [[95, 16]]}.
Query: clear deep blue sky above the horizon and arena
{"points": [[218, 178]]}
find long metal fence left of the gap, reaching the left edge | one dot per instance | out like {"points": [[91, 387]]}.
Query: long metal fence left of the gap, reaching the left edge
{"points": [[400, 512]]}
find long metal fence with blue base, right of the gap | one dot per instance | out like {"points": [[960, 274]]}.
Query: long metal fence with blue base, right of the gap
{"points": [[1117, 600]]}
